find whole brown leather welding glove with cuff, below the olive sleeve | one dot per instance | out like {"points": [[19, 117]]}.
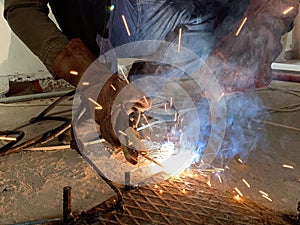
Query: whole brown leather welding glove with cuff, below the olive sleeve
{"points": [[71, 64]]}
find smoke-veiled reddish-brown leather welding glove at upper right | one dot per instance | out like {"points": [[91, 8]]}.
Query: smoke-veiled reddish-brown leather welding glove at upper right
{"points": [[242, 59]]}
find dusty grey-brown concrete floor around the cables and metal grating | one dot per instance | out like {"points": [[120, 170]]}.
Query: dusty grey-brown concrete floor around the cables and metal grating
{"points": [[32, 181]]}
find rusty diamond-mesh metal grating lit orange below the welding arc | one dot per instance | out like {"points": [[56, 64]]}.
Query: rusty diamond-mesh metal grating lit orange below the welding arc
{"points": [[189, 201]]}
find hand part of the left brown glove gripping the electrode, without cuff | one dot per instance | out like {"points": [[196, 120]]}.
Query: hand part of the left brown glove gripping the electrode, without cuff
{"points": [[117, 125]]}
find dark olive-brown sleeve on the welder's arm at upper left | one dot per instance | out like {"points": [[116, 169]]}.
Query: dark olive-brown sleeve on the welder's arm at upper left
{"points": [[30, 22]]}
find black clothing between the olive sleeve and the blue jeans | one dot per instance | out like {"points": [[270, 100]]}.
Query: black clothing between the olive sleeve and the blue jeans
{"points": [[82, 19]]}
